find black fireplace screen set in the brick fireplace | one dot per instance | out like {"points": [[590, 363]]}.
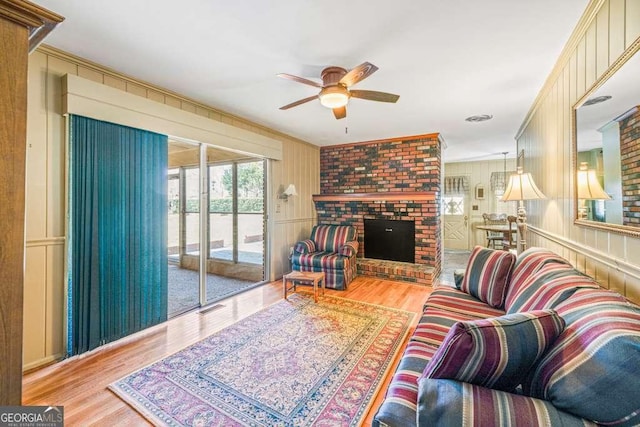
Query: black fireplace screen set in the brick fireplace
{"points": [[392, 240]]}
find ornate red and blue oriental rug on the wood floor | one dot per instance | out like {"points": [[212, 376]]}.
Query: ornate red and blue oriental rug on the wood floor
{"points": [[295, 363]]}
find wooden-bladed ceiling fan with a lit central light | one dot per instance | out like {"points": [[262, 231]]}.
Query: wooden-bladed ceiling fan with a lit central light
{"points": [[335, 88]]}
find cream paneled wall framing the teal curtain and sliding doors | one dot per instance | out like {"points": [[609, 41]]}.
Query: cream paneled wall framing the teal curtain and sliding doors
{"points": [[45, 203]]}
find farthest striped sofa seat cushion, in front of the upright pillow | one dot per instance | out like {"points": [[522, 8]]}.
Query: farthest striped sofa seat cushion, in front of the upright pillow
{"points": [[450, 299]]}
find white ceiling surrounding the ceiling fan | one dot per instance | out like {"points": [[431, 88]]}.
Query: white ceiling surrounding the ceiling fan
{"points": [[446, 59]]}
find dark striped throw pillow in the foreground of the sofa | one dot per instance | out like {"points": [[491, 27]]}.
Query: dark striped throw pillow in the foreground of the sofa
{"points": [[496, 352]]}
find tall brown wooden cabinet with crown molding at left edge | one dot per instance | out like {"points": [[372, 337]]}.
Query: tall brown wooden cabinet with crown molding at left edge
{"points": [[22, 26]]}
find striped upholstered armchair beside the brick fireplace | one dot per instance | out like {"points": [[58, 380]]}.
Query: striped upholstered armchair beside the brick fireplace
{"points": [[330, 249]]}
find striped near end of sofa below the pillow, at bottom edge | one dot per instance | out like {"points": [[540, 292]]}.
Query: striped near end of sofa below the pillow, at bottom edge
{"points": [[454, 403]]}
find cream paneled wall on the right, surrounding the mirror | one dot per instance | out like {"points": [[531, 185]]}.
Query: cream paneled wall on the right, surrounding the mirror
{"points": [[605, 31]]}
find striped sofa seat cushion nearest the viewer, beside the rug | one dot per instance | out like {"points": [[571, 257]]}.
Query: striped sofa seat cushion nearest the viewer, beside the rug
{"points": [[399, 406]]}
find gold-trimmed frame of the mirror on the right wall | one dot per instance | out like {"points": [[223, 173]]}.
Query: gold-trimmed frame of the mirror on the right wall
{"points": [[603, 226]]}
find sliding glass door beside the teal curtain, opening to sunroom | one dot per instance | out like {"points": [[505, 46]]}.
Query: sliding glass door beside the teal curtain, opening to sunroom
{"points": [[219, 252]]}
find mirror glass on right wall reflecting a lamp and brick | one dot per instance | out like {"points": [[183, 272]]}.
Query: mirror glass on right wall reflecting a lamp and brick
{"points": [[607, 150]]}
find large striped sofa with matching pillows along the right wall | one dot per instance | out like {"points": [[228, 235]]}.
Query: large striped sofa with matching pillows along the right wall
{"points": [[519, 341]]}
